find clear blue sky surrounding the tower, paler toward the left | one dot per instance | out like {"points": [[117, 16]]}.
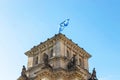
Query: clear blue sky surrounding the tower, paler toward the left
{"points": [[94, 25]]}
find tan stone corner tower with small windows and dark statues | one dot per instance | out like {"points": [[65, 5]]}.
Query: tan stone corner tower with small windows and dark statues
{"points": [[58, 58]]}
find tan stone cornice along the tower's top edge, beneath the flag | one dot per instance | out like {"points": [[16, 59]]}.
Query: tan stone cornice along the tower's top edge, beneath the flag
{"points": [[53, 40]]}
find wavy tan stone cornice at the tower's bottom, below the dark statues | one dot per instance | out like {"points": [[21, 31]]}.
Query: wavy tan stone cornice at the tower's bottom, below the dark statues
{"points": [[59, 73]]}
